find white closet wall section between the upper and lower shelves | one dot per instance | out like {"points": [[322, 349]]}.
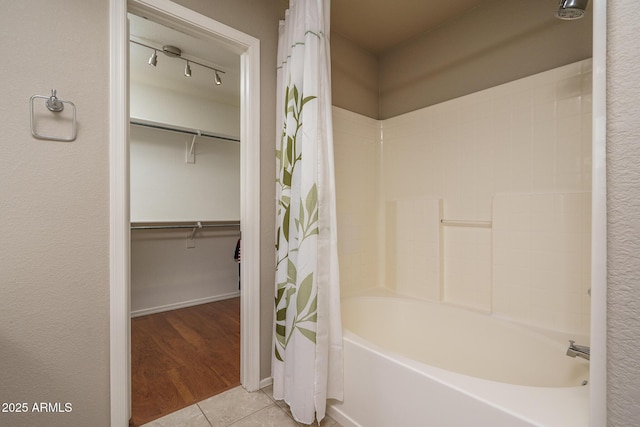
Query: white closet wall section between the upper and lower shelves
{"points": [[164, 187]]}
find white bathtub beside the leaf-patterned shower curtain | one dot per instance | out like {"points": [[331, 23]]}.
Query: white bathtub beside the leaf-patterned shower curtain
{"points": [[415, 363]]}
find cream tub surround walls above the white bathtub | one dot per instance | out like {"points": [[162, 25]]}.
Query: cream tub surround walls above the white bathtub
{"points": [[524, 141]]}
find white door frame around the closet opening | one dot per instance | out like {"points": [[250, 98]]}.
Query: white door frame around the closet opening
{"points": [[248, 47]]}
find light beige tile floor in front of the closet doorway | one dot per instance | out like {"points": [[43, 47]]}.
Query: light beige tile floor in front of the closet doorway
{"points": [[237, 408]]}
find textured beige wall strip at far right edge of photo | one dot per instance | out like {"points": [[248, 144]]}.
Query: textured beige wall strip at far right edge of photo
{"points": [[623, 209]]}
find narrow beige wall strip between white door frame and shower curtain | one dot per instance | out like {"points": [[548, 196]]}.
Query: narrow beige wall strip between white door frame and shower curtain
{"points": [[258, 19]]}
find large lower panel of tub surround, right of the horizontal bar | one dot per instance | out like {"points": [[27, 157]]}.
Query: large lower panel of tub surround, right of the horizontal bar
{"points": [[541, 260]]}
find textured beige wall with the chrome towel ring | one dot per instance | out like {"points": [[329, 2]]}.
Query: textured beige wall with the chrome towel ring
{"points": [[54, 215]]}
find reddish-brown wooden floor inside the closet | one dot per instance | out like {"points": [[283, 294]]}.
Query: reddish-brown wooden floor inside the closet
{"points": [[183, 356]]}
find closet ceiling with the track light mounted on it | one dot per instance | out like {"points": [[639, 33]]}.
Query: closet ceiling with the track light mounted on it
{"points": [[169, 72]]}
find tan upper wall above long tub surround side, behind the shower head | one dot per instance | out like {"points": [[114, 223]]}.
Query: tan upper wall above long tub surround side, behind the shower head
{"points": [[500, 41]]}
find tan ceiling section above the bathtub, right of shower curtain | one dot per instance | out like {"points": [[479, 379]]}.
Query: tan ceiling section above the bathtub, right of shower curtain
{"points": [[378, 25]]}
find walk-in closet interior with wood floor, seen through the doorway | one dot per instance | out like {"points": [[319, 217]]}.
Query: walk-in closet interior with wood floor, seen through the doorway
{"points": [[185, 218]]}
